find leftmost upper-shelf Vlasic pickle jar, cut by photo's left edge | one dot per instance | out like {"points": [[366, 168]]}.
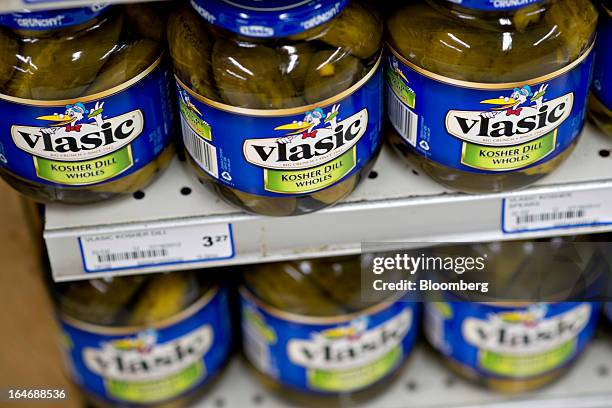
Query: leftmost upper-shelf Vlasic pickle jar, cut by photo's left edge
{"points": [[85, 99]]}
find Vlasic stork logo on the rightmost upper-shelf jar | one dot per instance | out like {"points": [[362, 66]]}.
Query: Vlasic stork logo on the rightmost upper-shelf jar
{"points": [[522, 116]]}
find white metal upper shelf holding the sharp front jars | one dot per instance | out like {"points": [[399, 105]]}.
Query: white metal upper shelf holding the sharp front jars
{"points": [[397, 205]]}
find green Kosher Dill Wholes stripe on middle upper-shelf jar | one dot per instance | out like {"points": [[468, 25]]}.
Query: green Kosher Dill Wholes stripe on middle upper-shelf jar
{"points": [[313, 179]]}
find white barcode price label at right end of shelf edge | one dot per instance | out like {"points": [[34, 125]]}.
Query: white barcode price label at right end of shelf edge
{"points": [[539, 212]]}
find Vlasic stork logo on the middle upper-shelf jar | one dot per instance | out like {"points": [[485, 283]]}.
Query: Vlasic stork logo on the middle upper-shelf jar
{"points": [[317, 139]]}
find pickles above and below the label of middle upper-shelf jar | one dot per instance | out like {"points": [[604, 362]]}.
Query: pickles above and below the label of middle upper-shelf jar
{"points": [[290, 72]]}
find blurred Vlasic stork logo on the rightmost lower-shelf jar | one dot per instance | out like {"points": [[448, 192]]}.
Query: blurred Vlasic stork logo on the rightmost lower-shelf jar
{"points": [[526, 332]]}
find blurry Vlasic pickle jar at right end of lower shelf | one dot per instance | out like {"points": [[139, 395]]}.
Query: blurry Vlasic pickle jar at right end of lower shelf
{"points": [[528, 328]]}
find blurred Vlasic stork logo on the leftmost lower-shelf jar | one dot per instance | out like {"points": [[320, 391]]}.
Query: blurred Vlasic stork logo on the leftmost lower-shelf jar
{"points": [[143, 359]]}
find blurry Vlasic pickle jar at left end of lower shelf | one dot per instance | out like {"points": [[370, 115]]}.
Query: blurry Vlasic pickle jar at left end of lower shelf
{"points": [[151, 340]]}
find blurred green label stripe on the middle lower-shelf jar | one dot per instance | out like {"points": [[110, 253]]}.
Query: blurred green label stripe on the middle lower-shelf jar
{"points": [[359, 377]]}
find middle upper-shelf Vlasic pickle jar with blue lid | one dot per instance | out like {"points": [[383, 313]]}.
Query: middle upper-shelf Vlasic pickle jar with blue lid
{"points": [[281, 101]]}
